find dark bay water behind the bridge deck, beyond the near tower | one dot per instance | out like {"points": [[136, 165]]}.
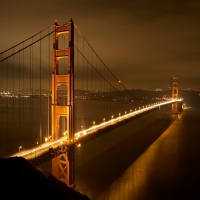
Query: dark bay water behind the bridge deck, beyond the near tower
{"points": [[26, 122]]}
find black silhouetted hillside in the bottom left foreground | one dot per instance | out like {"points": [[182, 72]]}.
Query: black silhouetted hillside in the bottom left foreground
{"points": [[19, 180]]}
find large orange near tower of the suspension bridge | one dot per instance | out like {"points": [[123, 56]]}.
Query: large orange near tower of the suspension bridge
{"points": [[63, 165]]}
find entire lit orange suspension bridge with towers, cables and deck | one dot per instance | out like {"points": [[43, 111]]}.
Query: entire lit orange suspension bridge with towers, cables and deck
{"points": [[56, 93]]}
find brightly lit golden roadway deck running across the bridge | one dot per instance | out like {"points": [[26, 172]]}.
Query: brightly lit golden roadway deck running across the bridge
{"points": [[53, 148]]}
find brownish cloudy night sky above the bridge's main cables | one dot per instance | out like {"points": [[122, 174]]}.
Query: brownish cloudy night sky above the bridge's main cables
{"points": [[143, 42]]}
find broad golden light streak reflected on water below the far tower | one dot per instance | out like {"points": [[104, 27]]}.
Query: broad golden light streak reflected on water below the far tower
{"points": [[135, 181]]}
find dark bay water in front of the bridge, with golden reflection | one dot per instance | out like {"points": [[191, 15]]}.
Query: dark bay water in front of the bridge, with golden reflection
{"points": [[154, 157]]}
